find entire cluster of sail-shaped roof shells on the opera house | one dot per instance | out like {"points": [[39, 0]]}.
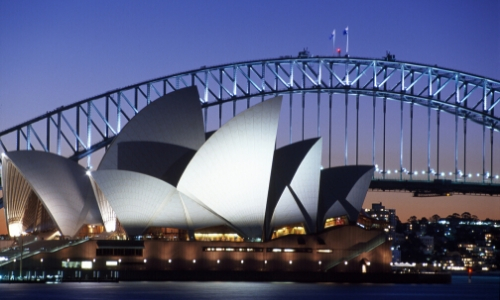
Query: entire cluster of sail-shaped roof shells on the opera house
{"points": [[163, 171]]}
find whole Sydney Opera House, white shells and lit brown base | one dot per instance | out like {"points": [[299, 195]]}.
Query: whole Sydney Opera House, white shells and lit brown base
{"points": [[169, 196]]}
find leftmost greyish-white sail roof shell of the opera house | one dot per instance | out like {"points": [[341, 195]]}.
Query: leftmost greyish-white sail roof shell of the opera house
{"points": [[60, 184]]}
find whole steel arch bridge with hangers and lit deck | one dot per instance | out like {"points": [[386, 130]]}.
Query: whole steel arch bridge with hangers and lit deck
{"points": [[428, 130]]}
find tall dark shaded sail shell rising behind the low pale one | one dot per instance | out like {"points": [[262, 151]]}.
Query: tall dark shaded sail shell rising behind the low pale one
{"points": [[161, 134]]}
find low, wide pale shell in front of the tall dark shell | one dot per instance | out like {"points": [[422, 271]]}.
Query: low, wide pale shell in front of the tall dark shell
{"points": [[141, 201]]}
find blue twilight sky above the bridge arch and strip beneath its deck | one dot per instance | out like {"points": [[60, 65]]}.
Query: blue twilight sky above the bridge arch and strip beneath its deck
{"points": [[54, 53]]}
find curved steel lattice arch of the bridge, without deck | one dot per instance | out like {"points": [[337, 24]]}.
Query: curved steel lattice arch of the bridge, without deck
{"points": [[89, 125]]}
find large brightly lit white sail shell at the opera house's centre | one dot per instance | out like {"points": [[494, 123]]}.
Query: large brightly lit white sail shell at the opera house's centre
{"points": [[230, 173]]}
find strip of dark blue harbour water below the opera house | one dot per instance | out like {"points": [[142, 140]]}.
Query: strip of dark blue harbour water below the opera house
{"points": [[480, 287]]}
